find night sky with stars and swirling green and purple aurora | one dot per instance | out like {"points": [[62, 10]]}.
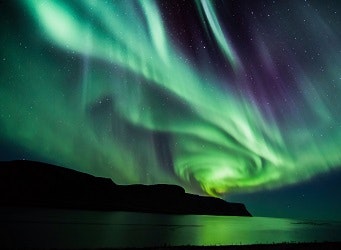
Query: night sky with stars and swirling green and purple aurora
{"points": [[236, 99]]}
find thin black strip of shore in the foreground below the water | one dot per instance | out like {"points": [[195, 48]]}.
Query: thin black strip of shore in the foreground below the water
{"points": [[279, 246]]}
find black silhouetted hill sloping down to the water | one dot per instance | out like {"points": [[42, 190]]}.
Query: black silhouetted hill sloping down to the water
{"points": [[28, 183]]}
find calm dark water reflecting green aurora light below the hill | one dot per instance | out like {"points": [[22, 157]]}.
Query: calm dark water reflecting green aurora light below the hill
{"points": [[88, 229]]}
